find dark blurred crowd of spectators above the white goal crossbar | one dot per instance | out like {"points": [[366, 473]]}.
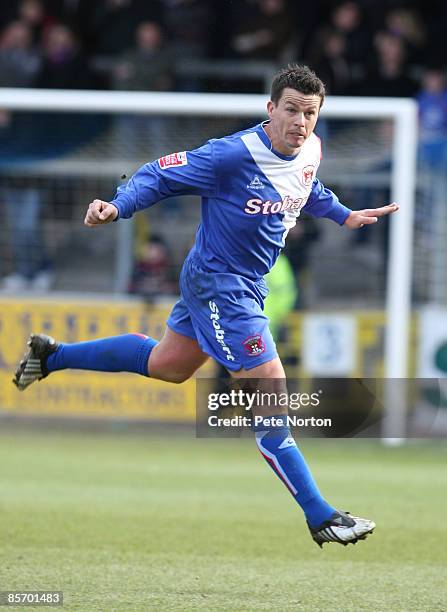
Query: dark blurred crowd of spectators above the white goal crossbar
{"points": [[359, 47]]}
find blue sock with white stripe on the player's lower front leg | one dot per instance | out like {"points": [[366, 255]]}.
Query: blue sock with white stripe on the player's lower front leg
{"points": [[281, 452]]}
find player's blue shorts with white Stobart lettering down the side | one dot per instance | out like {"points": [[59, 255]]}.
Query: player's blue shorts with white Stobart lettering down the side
{"points": [[224, 313]]}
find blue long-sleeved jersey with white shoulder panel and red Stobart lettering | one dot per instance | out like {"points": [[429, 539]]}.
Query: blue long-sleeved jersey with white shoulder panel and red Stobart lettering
{"points": [[251, 197]]}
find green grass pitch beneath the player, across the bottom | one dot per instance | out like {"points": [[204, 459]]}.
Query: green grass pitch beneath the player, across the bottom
{"points": [[133, 522]]}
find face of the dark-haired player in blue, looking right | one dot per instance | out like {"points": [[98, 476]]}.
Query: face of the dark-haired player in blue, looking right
{"points": [[292, 120]]}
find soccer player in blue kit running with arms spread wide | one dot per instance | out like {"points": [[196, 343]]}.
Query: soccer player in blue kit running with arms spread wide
{"points": [[253, 186]]}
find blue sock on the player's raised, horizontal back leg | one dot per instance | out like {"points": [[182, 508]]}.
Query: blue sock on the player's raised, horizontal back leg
{"points": [[127, 353]]}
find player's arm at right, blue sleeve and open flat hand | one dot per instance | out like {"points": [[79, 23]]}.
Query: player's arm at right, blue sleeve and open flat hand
{"points": [[323, 202]]}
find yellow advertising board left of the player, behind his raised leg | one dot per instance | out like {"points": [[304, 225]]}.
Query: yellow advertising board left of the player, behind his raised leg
{"points": [[81, 393]]}
